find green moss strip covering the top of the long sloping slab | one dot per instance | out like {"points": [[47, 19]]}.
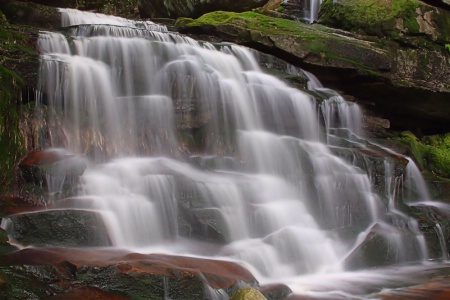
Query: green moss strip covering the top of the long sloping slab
{"points": [[315, 39]]}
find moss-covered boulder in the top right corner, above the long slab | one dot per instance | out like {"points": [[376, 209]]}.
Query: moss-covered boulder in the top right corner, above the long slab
{"points": [[387, 18]]}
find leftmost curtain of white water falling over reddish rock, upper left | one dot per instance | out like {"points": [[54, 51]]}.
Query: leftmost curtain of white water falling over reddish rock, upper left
{"points": [[79, 91]]}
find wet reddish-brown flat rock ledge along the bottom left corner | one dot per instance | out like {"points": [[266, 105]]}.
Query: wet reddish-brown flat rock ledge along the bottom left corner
{"points": [[64, 273]]}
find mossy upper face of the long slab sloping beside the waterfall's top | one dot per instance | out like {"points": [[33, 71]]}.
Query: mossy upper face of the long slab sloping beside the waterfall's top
{"points": [[313, 44]]}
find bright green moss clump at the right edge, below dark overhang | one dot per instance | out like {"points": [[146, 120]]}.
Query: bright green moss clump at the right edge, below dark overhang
{"points": [[431, 152]]}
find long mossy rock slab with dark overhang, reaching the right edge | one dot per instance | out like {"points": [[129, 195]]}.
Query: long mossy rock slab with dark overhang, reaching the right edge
{"points": [[410, 81]]}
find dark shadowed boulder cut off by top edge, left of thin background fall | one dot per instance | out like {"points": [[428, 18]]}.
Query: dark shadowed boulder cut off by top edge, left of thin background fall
{"points": [[192, 8]]}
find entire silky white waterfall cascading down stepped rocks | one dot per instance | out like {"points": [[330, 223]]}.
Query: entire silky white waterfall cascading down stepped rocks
{"points": [[176, 129]]}
